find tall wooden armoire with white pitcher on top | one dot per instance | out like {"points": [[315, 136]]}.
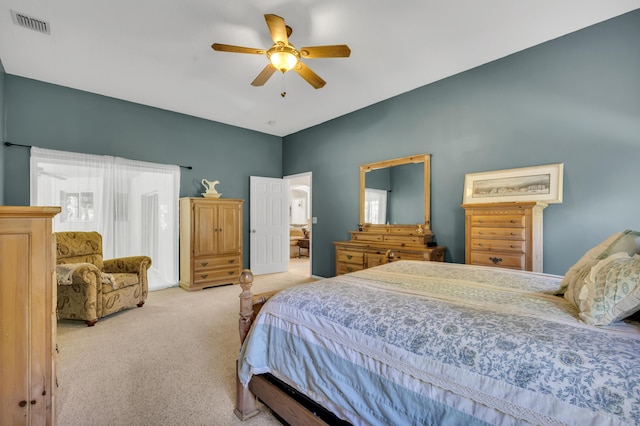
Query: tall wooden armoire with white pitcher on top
{"points": [[210, 242]]}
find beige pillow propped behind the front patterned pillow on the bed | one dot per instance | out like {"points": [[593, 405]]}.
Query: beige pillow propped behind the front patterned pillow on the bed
{"points": [[627, 241]]}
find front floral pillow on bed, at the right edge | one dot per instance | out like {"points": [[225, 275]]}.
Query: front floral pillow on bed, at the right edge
{"points": [[612, 290]]}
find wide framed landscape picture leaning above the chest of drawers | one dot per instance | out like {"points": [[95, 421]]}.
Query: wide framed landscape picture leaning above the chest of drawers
{"points": [[537, 183]]}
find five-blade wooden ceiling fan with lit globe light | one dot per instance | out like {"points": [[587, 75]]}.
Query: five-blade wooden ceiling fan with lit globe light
{"points": [[284, 56]]}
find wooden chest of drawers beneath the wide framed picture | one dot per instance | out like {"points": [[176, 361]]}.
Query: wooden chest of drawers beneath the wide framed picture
{"points": [[506, 235]]}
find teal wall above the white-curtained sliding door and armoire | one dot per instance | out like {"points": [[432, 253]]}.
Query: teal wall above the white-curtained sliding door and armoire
{"points": [[55, 117]]}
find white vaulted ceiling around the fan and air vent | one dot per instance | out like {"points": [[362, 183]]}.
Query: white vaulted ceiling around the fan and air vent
{"points": [[157, 52]]}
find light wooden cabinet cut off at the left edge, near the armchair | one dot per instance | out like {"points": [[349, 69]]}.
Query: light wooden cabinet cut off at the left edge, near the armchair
{"points": [[27, 316]]}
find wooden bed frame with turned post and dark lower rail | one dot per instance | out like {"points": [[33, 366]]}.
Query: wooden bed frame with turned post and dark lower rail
{"points": [[287, 404]]}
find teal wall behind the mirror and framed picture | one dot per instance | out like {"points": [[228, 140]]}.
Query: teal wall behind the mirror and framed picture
{"points": [[574, 100]]}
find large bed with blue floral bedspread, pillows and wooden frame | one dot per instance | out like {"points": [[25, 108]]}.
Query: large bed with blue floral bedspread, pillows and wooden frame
{"points": [[414, 342]]}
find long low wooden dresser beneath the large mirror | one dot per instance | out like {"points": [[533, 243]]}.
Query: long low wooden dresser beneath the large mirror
{"points": [[373, 247]]}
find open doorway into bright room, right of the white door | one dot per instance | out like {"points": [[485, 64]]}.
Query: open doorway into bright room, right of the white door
{"points": [[300, 234]]}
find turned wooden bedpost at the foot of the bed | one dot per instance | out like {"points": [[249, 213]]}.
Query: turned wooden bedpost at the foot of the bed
{"points": [[245, 400]]}
